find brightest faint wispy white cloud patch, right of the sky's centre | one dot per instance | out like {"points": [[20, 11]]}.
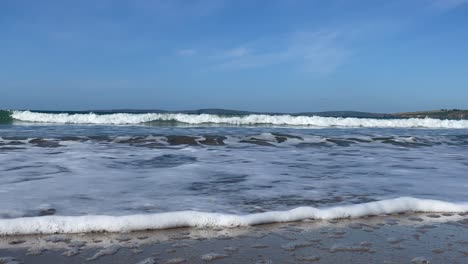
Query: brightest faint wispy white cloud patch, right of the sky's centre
{"points": [[317, 52]]}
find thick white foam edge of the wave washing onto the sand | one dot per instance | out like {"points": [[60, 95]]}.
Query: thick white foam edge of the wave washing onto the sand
{"points": [[101, 223]]}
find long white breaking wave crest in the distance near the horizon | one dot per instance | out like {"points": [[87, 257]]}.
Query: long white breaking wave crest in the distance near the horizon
{"points": [[315, 121]]}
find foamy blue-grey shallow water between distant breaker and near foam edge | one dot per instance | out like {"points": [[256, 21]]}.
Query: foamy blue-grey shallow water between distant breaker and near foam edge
{"points": [[120, 170]]}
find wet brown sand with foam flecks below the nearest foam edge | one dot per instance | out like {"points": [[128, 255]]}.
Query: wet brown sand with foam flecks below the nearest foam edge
{"points": [[404, 238]]}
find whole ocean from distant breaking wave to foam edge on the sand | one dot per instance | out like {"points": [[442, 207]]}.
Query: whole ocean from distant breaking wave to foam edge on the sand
{"points": [[86, 172]]}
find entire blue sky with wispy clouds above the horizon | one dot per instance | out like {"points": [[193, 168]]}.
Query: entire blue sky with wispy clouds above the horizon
{"points": [[271, 55]]}
